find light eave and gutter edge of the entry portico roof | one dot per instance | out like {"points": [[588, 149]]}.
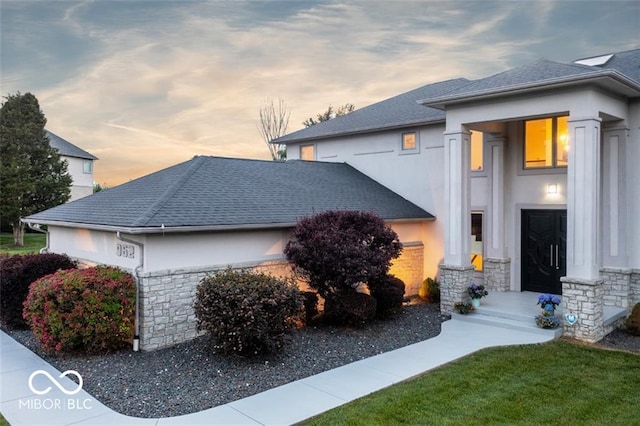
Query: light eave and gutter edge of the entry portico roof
{"points": [[442, 102]]}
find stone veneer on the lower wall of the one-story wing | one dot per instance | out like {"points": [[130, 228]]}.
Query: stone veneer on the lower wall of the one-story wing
{"points": [[166, 297]]}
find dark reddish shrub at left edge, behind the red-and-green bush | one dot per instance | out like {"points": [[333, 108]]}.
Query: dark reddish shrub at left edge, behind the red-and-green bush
{"points": [[16, 275]]}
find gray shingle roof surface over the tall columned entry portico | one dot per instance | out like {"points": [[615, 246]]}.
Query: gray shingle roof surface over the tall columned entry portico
{"points": [[542, 73]]}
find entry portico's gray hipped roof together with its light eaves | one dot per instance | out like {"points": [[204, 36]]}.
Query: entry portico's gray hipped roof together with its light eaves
{"points": [[620, 73]]}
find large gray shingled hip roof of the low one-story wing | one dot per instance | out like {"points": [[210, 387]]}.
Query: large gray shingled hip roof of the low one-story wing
{"points": [[228, 193]]}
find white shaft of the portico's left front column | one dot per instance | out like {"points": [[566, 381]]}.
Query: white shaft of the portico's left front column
{"points": [[457, 157]]}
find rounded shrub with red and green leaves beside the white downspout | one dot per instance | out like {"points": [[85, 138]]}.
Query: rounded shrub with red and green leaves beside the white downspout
{"points": [[88, 310]]}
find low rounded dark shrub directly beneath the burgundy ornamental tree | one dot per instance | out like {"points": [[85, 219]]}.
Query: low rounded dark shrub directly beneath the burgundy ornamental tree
{"points": [[350, 308]]}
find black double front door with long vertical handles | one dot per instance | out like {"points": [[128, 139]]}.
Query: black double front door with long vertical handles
{"points": [[544, 250]]}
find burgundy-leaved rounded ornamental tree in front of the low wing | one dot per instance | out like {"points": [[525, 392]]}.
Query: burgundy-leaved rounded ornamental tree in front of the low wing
{"points": [[338, 250]]}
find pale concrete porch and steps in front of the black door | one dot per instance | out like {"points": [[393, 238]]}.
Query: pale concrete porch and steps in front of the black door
{"points": [[516, 311]]}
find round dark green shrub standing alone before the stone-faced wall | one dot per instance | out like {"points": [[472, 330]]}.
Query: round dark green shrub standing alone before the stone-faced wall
{"points": [[245, 312]]}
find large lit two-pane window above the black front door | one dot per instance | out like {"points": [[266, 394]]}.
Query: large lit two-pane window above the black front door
{"points": [[546, 143]]}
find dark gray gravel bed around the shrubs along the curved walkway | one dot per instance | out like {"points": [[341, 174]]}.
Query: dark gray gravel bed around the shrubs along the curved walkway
{"points": [[189, 378]]}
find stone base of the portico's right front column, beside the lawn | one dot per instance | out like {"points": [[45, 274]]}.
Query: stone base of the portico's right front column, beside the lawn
{"points": [[583, 298]]}
